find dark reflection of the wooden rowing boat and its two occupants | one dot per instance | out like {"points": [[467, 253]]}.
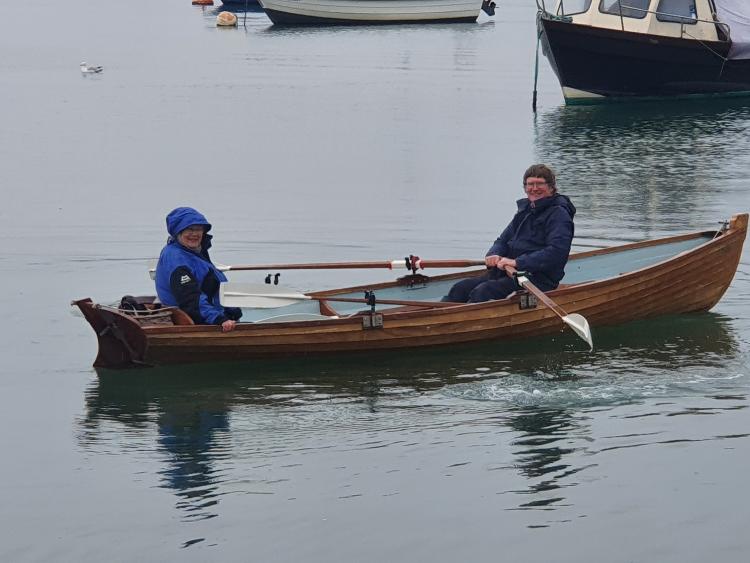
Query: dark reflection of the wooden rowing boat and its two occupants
{"points": [[189, 413]]}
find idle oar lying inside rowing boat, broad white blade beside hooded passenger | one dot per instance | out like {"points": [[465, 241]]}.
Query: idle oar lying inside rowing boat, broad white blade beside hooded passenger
{"points": [[265, 296]]}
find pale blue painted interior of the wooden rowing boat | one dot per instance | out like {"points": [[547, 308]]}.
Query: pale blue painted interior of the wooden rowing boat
{"points": [[579, 269]]}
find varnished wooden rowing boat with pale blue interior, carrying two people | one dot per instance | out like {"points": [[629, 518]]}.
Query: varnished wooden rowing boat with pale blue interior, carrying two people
{"points": [[678, 274]]}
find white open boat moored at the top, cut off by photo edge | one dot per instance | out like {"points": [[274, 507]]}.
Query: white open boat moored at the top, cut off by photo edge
{"points": [[327, 12]]}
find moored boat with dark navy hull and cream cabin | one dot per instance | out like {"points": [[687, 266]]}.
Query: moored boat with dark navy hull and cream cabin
{"points": [[607, 50]]}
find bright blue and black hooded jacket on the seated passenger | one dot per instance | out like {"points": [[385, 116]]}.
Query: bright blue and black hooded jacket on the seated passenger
{"points": [[188, 279]]}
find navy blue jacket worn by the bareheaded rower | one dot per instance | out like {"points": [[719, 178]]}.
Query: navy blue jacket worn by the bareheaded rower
{"points": [[539, 238]]}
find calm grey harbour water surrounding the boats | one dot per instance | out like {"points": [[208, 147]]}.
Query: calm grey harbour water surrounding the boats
{"points": [[350, 144]]}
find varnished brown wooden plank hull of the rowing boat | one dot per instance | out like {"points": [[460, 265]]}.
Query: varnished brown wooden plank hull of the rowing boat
{"points": [[693, 280]]}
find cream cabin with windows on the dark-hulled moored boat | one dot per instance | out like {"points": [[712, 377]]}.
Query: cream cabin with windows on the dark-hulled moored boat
{"points": [[687, 19]]}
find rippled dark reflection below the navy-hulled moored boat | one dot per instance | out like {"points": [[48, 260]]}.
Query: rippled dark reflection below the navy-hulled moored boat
{"points": [[646, 161]]}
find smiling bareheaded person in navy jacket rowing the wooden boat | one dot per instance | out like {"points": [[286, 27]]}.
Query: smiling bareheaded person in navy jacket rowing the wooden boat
{"points": [[537, 242]]}
